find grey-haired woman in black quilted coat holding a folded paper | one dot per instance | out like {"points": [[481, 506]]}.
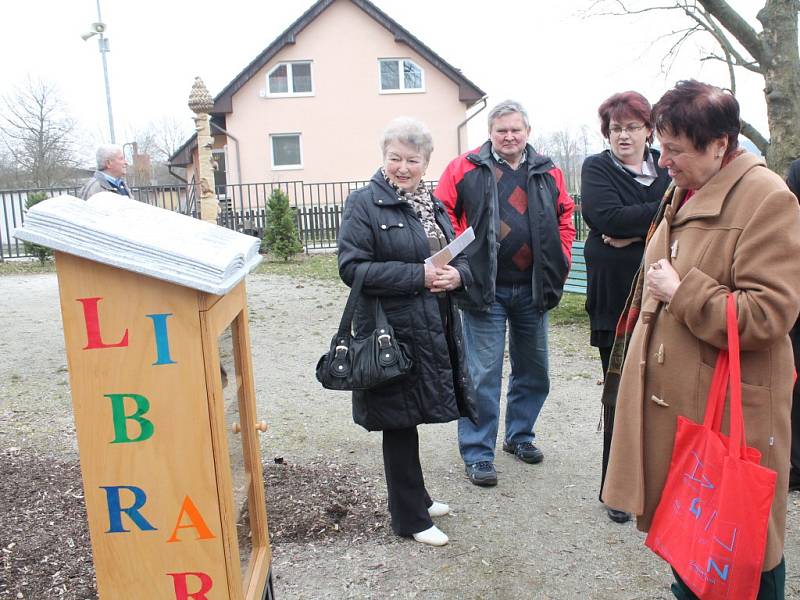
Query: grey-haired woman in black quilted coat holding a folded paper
{"points": [[392, 225]]}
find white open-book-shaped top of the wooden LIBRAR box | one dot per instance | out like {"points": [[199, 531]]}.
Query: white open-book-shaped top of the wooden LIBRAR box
{"points": [[131, 235]]}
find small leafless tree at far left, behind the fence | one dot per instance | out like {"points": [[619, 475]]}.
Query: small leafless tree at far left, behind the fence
{"points": [[38, 134]]}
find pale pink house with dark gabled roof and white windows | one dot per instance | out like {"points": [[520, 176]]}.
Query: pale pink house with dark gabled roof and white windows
{"points": [[312, 105]]}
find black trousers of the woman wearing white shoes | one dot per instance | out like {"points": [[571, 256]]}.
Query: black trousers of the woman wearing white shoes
{"points": [[408, 499]]}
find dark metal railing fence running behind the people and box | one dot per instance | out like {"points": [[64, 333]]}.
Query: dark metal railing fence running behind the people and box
{"points": [[318, 208]]}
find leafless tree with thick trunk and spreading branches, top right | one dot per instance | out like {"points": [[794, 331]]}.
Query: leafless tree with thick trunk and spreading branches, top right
{"points": [[771, 52]]}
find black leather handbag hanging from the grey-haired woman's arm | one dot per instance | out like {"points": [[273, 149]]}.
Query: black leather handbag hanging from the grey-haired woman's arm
{"points": [[362, 363]]}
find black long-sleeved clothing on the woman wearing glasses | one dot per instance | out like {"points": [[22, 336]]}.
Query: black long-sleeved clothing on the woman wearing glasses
{"points": [[614, 203]]}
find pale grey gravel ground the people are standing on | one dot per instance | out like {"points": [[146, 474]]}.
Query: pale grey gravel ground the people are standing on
{"points": [[541, 533]]}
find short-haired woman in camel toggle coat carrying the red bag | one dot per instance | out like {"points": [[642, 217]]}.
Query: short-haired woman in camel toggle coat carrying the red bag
{"points": [[730, 226]]}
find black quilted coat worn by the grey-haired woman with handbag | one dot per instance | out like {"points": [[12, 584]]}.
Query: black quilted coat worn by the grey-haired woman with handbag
{"points": [[382, 230]]}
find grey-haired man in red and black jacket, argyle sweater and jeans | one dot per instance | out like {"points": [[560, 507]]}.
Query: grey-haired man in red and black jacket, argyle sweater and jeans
{"points": [[516, 203]]}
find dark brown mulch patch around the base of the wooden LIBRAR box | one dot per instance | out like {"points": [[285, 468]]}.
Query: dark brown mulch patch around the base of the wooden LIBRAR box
{"points": [[46, 551]]}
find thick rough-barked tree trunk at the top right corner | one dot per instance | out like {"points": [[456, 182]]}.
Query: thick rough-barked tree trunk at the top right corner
{"points": [[780, 64]]}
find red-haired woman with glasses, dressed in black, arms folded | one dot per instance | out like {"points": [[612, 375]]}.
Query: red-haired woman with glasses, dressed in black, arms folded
{"points": [[620, 191]]}
